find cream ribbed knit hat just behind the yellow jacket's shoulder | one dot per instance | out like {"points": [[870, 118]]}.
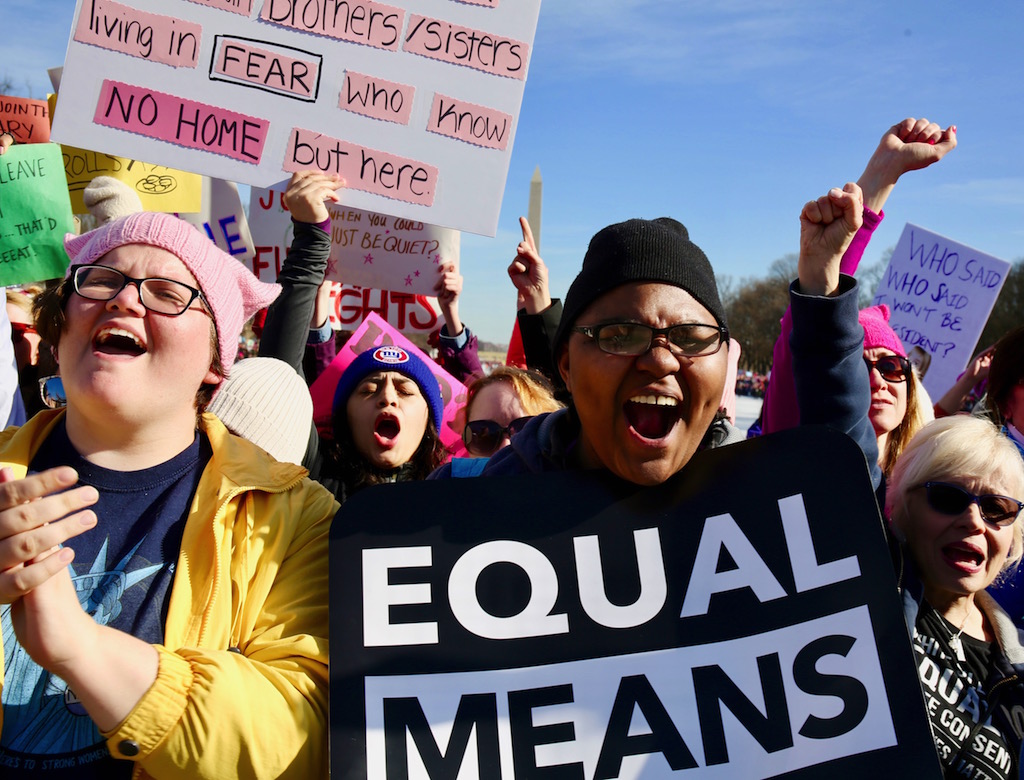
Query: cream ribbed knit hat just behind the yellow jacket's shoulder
{"points": [[267, 402]]}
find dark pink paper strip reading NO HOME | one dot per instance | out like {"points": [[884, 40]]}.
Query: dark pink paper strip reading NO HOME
{"points": [[183, 122]]}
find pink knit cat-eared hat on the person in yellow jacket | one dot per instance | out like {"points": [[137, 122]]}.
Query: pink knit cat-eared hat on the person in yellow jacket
{"points": [[233, 293]]}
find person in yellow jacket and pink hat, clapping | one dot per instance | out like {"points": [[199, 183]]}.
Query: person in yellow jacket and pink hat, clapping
{"points": [[165, 581]]}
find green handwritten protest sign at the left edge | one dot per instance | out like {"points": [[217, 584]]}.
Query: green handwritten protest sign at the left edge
{"points": [[35, 214]]}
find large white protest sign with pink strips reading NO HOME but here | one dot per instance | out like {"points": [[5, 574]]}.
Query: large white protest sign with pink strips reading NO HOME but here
{"points": [[415, 104]]}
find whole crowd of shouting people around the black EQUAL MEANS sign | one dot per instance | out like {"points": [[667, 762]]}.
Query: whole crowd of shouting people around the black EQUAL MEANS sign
{"points": [[164, 511]]}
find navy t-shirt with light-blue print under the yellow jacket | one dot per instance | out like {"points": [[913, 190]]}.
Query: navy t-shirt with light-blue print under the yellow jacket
{"points": [[123, 572]]}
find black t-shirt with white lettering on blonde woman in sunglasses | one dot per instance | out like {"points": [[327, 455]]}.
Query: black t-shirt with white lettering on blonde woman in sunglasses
{"points": [[975, 734]]}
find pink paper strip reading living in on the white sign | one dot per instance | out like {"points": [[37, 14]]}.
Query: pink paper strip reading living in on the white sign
{"points": [[148, 36]]}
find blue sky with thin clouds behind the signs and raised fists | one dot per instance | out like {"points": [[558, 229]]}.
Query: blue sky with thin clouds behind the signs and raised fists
{"points": [[728, 115]]}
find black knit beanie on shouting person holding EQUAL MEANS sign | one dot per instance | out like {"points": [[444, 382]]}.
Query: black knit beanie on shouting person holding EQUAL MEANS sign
{"points": [[641, 250]]}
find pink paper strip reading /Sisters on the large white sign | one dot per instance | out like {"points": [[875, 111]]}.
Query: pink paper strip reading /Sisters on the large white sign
{"points": [[461, 46]]}
